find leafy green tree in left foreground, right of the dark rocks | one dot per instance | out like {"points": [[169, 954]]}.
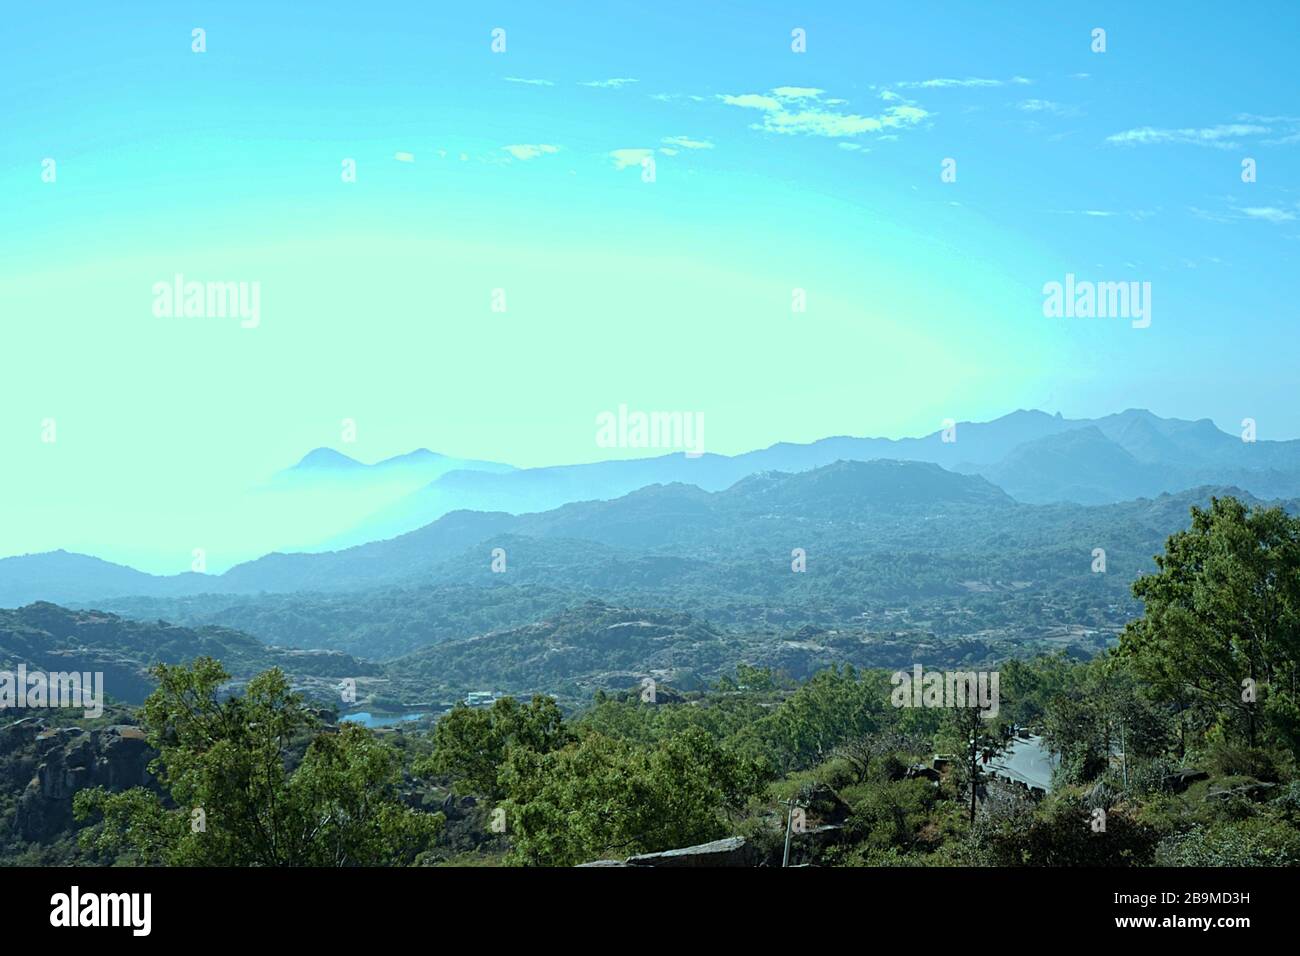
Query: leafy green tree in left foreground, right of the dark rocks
{"points": [[254, 781]]}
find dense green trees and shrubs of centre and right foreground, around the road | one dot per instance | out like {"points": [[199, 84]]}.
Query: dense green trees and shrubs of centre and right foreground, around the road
{"points": [[1162, 756]]}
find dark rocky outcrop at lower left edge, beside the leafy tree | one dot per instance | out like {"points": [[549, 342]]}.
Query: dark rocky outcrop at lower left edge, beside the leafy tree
{"points": [[58, 763]]}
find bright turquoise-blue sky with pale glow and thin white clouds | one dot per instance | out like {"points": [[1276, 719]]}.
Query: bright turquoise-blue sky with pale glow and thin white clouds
{"points": [[523, 171]]}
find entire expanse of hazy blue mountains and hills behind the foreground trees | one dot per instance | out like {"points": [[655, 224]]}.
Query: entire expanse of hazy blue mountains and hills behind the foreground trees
{"points": [[863, 551]]}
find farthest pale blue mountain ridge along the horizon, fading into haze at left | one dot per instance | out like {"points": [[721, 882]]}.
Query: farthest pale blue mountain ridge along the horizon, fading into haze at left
{"points": [[1032, 456]]}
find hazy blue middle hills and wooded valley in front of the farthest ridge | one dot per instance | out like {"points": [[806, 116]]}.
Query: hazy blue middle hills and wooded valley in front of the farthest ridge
{"points": [[870, 563]]}
